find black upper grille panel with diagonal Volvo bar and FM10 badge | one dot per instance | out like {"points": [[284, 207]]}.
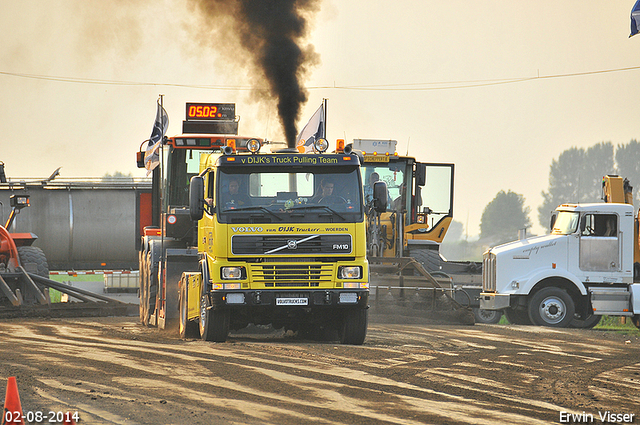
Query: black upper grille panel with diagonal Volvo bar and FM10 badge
{"points": [[290, 244]]}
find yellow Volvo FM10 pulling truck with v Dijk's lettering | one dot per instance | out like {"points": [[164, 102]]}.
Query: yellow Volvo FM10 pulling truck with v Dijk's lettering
{"points": [[276, 246]]}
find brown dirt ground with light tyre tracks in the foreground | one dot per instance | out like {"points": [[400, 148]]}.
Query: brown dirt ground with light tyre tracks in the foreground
{"points": [[115, 371]]}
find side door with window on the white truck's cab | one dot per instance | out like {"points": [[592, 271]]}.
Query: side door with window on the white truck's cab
{"points": [[599, 243]]}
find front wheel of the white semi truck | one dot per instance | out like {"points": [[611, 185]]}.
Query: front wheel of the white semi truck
{"points": [[552, 307]]}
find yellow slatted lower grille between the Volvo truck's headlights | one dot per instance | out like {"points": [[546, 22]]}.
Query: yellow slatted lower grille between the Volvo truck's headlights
{"points": [[291, 275]]}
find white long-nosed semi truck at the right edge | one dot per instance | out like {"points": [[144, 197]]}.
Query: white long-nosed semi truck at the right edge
{"points": [[582, 270]]}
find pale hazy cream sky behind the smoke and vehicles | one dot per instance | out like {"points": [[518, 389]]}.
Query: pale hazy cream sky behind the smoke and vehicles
{"points": [[499, 88]]}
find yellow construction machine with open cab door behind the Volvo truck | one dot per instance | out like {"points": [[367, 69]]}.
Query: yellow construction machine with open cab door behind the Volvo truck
{"points": [[404, 235]]}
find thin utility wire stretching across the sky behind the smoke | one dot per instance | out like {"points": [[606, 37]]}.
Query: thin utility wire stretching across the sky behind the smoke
{"points": [[425, 86]]}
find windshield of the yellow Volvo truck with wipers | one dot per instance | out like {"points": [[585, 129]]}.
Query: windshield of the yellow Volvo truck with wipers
{"points": [[266, 195]]}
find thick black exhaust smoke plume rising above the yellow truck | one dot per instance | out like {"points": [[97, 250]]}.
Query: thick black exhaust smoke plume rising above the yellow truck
{"points": [[270, 34]]}
